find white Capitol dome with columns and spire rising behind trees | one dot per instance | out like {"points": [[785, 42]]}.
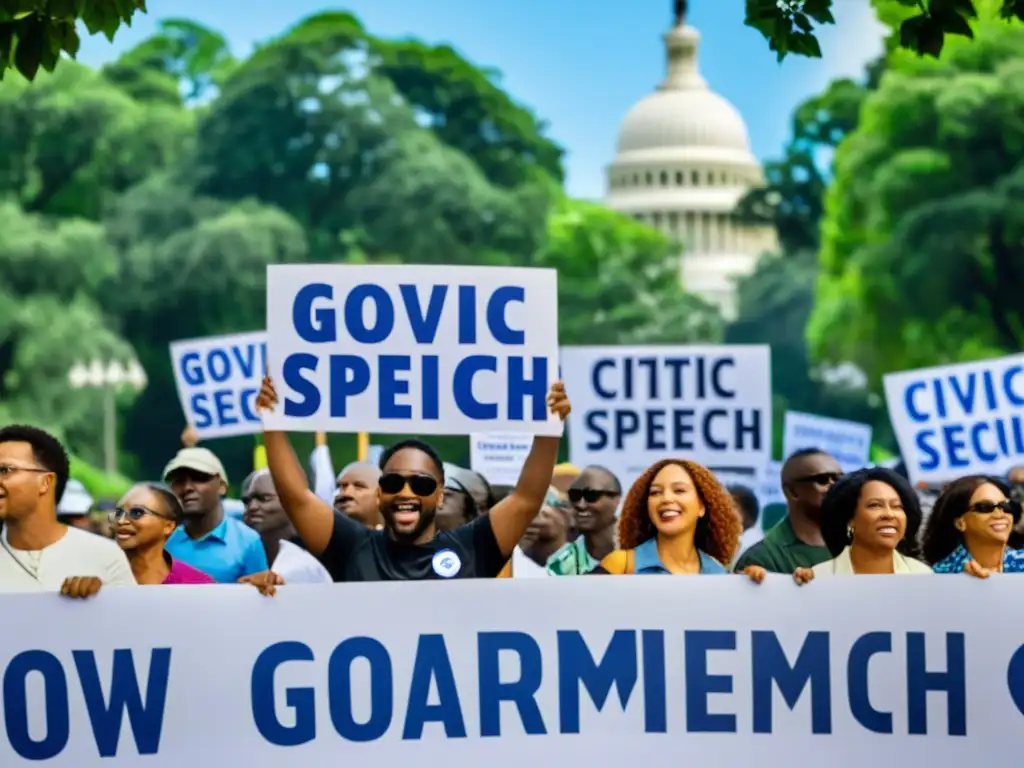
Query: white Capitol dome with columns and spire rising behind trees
{"points": [[684, 161]]}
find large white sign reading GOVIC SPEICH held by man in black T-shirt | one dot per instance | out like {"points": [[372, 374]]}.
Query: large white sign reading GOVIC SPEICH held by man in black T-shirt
{"points": [[412, 350]]}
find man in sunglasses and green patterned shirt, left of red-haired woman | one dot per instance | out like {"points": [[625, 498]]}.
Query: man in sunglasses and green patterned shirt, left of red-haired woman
{"points": [[594, 498]]}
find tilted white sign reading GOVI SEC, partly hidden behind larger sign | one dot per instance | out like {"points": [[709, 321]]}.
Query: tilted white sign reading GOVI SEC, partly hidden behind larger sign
{"points": [[219, 378]]}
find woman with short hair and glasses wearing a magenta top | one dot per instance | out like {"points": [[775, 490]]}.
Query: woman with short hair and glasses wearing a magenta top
{"points": [[143, 522]]}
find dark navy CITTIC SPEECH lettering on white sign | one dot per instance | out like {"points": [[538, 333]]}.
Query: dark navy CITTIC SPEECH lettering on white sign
{"points": [[720, 426]]}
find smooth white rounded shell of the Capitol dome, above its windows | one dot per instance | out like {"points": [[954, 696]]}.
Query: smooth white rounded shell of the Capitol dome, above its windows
{"points": [[674, 119]]}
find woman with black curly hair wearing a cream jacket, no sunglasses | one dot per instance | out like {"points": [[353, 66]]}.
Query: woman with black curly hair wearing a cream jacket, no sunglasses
{"points": [[870, 523]]}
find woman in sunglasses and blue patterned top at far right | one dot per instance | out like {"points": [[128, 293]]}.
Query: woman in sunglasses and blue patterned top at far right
{"points": [[970, 529]]}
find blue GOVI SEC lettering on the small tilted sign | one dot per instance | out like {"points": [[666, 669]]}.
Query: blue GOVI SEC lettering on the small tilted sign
{"points": [[230, 378]]}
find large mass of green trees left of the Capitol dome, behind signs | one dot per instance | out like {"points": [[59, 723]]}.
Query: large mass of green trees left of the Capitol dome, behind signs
{"points": [[141, 204]]}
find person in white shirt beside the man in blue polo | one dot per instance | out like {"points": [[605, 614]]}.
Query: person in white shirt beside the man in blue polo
{"points": [[266, 517]]}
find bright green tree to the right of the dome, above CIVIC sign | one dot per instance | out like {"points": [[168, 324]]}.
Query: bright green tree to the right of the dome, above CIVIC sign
{"points": [[922, 259]]}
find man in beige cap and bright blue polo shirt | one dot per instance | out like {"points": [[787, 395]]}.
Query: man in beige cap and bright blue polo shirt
{"points": [[223, 547]]}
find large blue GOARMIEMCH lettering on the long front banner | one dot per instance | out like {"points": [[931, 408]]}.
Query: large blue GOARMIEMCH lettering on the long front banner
{"points": [[631, 660]]}
